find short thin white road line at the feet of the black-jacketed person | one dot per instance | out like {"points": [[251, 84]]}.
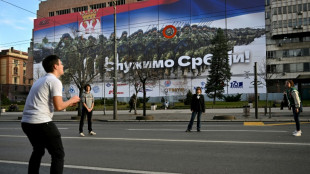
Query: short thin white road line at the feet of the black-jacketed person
{"points": [[182, 130]]}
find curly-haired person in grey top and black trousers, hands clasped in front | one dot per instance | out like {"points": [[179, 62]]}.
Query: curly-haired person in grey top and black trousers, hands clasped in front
{"points": [[88, 106]]}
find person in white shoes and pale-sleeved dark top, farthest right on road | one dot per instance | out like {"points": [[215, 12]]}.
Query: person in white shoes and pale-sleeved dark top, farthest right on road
{"points": [[294, 104]]}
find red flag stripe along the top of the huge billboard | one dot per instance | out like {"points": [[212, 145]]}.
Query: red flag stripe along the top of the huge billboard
{"points": [[43, 23]]}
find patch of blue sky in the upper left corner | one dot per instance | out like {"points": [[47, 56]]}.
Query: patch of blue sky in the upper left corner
{"points": [[16, 23]]}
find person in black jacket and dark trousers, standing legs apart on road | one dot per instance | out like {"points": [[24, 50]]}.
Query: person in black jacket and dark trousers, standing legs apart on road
{"points": [[197, 107]]}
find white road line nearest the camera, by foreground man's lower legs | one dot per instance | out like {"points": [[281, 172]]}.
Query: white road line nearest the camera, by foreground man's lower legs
{"points": [[92, 168]]}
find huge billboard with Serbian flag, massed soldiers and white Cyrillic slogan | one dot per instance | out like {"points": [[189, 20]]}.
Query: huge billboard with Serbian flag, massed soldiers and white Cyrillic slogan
{"points": [[169, 36]]}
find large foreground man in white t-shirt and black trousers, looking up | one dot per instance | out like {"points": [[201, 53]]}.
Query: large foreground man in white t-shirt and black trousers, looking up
{"points": [[44, 97]]}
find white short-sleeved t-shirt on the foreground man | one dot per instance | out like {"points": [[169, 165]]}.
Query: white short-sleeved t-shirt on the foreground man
{"points": [[39, 107]]}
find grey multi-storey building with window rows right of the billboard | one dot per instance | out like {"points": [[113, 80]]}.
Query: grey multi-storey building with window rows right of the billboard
{"points": [[288, 44]]}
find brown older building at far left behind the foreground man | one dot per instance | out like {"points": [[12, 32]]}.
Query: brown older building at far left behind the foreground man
{"points": [[15, 74]]}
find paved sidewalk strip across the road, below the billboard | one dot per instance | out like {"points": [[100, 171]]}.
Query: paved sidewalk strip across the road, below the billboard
{"points": [[177, 115]]}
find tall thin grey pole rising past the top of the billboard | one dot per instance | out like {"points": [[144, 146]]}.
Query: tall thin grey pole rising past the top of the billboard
{"points": [[115, 66]]}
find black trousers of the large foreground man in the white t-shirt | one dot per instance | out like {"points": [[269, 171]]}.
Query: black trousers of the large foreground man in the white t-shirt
{"points": [[41, 136]]}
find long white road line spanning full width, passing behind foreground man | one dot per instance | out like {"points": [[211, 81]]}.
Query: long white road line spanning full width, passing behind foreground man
{"points": [[176, 140]]}
